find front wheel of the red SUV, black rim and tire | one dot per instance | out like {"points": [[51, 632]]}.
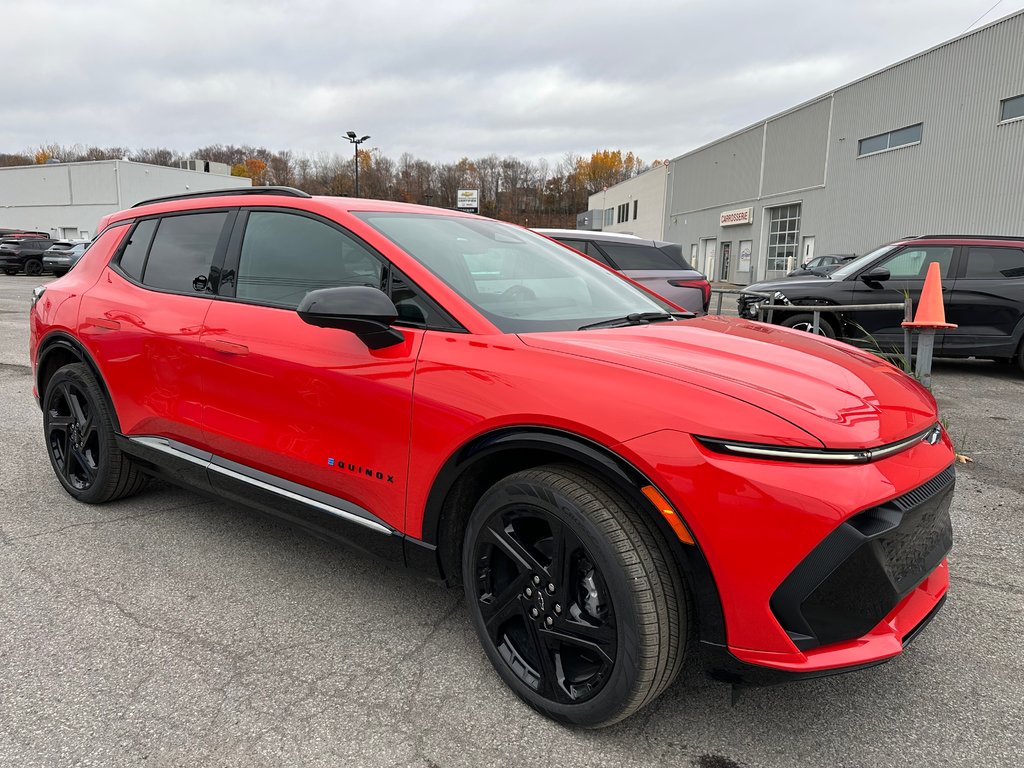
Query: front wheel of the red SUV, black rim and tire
{"points": [[574, 595]]}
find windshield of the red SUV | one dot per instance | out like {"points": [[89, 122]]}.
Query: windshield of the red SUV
{"points": [[518, 280]]}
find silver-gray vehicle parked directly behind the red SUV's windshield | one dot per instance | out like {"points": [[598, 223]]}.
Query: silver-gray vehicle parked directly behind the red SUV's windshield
{"points": [[658, 266]]}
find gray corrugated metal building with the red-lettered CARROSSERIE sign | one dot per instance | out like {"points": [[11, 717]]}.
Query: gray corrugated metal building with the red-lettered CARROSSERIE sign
{"points": [[932, 145]]}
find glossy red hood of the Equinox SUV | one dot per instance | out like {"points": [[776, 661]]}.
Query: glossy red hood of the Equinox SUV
{"points": [[843, 397]]}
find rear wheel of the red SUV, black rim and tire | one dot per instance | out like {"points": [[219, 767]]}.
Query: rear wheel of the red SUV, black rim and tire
{"points": [[80, 440]]}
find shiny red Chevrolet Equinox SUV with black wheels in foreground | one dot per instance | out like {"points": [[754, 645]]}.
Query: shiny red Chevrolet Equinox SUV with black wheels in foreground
{"points": [[612, 482]]}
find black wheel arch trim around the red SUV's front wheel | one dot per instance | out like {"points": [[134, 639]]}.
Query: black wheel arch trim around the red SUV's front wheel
{"points": [[485, 460]]}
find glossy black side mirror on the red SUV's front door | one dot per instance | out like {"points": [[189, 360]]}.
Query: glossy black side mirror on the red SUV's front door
{"points": [[366, 312]]}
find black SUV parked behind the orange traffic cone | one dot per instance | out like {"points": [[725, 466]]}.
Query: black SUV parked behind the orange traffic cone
{"points": [[983, 288]]}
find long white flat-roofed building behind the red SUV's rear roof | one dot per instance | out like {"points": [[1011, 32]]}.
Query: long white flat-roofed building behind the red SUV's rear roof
{"points": [[68, 199]]}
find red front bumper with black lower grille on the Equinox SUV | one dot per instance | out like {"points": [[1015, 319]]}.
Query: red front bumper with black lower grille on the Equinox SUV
{"points": [[820, 569]]}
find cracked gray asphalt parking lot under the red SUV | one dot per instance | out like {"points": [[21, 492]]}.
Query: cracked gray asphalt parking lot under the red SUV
{"points": [[170, 630]]}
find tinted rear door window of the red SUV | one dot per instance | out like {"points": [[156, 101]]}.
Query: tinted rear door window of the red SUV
{"points": [[184, 250]]}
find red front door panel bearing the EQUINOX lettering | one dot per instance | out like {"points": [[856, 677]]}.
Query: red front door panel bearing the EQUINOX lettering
{"points": [[312, 406]]}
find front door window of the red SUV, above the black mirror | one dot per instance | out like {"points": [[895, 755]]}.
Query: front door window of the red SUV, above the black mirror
{"points": [[284, 257]]}
